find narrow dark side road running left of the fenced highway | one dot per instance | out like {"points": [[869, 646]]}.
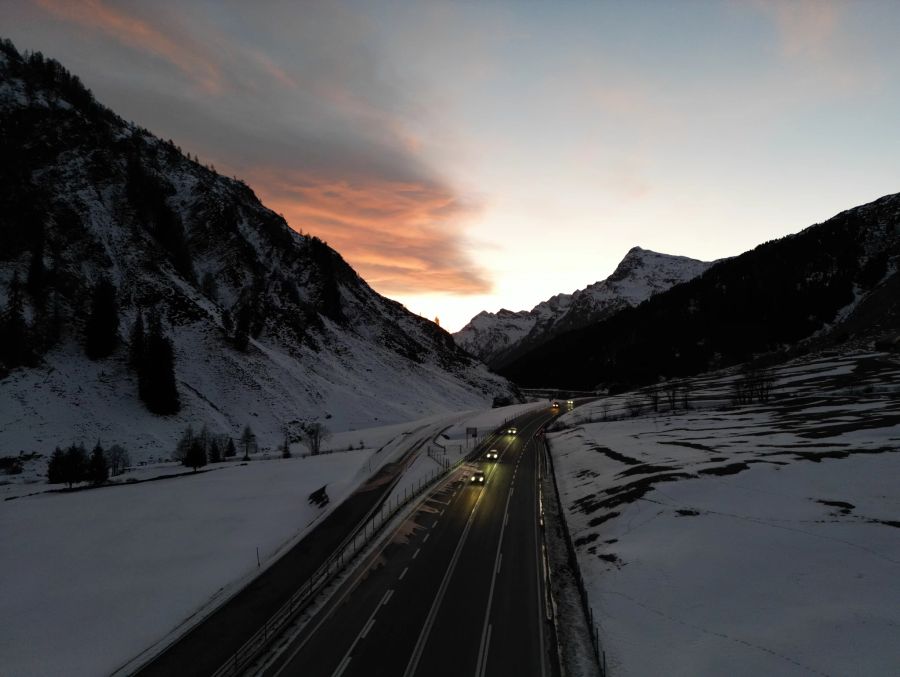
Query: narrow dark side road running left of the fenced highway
{"points": [[203, 649]]}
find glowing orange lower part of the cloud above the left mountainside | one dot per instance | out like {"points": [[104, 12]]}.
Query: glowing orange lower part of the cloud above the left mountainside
{"points": [[402, 237]]}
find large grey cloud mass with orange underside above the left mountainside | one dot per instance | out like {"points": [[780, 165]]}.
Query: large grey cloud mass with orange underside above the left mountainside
{"points": [[300, 104]]}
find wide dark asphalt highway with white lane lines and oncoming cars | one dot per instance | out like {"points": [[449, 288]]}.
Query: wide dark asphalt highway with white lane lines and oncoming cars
{"points": [[455, 590]]}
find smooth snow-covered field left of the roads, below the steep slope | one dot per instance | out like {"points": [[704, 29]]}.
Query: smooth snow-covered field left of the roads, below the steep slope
{"points": [[93, 578]]}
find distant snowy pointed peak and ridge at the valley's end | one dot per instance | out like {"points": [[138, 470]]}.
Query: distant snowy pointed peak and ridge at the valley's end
{"points": [[499, 338]]}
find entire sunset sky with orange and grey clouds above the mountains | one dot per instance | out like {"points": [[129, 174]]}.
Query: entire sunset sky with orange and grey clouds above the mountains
{"points": [[471, 156]]}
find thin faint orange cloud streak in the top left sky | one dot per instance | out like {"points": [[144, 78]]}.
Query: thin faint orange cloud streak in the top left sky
{"points": [[135, 32]]}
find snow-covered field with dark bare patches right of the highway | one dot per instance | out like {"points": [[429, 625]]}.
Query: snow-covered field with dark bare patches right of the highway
{"points": [[754, 540]]}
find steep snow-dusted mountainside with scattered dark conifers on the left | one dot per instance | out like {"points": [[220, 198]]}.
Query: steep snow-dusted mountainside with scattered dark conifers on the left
{"points": [[242, 320]]}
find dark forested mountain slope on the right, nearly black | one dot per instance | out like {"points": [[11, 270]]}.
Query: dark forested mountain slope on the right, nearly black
{"points": [[831, 284]]}
